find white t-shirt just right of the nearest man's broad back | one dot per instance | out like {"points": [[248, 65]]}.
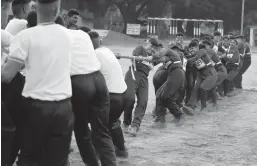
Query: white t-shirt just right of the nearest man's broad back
{"points": [[83, 58]]}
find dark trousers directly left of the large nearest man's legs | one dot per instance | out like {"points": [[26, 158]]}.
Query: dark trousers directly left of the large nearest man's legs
{"points": [[11, 95]]}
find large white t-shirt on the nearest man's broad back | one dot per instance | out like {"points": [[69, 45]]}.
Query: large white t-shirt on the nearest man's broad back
{"points": [[45, 51]]}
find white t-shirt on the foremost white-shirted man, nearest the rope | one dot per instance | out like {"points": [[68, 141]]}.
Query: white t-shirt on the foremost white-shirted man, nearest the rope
{"points": [[111, 70]]}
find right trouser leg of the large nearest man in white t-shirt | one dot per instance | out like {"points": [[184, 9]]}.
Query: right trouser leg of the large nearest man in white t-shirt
{"points": [[56, 147]]}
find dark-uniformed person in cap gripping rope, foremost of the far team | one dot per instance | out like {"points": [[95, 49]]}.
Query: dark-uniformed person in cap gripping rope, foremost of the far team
{"points": [[136, 79]]}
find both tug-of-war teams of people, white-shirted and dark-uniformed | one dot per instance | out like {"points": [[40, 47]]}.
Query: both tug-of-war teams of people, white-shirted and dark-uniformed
{"points": [[62, 79]]}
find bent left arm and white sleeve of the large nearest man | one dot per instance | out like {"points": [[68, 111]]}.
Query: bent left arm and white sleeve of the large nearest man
{"points": [[16, 59]]}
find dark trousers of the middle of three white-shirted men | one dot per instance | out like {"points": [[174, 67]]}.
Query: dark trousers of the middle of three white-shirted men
{"points": [[90, 103]]}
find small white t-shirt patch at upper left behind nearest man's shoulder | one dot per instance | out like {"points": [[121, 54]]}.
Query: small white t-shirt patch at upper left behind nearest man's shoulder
{"points": [[16, 25]]}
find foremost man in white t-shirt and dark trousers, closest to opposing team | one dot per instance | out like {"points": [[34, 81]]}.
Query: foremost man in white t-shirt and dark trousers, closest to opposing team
{"points": [[112, 72]]}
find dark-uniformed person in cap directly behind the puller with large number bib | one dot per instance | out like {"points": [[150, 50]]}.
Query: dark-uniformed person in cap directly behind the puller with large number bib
{"points": [[220, 69]]}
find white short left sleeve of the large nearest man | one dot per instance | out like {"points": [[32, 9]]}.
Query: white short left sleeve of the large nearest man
{"points": [[19, 47]]}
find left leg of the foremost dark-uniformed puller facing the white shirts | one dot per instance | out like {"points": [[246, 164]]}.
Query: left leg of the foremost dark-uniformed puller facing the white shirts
{"points": [[131, 92]]}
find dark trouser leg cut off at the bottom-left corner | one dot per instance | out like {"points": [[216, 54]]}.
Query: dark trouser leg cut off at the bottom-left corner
{"points": [[7, 134]]}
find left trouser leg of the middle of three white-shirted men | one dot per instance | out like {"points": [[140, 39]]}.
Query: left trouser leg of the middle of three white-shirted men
{"points": [[83, 92]]}
